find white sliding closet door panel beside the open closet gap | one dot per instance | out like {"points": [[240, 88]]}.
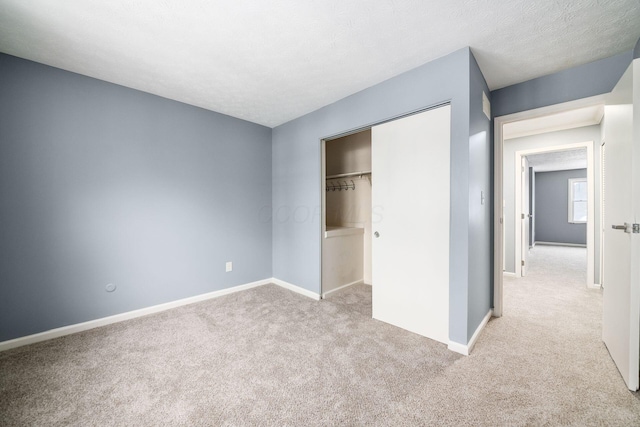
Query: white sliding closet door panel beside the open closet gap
{"points": [[410, 220]]}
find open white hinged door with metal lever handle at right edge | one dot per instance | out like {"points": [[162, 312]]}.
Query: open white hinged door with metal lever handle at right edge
{"points": [[621, 281]]}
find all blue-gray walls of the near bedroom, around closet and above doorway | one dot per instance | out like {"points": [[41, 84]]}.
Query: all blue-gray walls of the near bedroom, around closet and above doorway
{"points": [[102, 184]]}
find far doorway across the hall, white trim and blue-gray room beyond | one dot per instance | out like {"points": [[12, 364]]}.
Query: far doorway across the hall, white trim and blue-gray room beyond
{"points": [[562, 167]]}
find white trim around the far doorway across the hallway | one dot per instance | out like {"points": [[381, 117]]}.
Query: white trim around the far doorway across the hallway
{"points": [[590, 203]]}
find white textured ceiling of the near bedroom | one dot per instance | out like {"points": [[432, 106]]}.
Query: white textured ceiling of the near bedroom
{"points": [[272, 61]]}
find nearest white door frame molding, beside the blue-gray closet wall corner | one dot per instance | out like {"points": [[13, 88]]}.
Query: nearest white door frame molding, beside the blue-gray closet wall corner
{"points": [[498, 219]]}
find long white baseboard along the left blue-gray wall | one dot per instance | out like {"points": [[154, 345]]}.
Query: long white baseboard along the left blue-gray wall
{"points": [[84, 326]]}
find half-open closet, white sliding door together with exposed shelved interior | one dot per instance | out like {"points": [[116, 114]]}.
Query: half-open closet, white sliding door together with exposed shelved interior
{"points": [[409, 215]]}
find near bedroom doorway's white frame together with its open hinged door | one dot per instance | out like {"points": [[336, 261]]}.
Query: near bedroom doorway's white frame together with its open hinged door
{"points": [[620, 294]]}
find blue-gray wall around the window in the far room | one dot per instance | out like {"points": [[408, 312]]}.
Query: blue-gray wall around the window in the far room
{"points": [[552, 208]]}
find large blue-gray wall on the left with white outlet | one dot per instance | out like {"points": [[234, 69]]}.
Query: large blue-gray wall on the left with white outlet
{"points": [[103, 184]]}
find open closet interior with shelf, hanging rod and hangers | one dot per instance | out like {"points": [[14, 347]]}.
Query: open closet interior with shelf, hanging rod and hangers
{"points": [[346, 243]]}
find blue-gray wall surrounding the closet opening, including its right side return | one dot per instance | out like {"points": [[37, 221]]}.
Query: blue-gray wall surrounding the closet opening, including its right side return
{"points": [[297, 187]]}
